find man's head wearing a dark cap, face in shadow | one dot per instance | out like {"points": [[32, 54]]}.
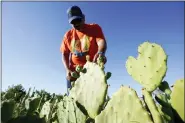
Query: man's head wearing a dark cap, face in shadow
{"points": [[76, 17]]}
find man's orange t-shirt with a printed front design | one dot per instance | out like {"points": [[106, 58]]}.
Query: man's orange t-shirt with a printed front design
{"points": [[85, 41]]}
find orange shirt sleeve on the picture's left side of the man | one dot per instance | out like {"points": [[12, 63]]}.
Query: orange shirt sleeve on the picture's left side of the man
{"points": [[64, 45]]}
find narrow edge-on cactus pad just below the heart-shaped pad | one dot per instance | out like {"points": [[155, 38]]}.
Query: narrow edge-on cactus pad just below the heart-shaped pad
{"points": [[157, 118]]}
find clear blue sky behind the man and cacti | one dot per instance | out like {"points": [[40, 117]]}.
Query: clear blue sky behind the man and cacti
{"points": [[32, 34]]}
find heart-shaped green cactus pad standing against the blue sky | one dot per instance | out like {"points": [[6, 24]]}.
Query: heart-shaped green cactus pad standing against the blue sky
{"points": [[150, 66]]}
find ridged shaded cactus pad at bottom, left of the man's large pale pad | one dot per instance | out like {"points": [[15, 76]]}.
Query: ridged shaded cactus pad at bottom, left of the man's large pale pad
{"points": [[68, 112]]}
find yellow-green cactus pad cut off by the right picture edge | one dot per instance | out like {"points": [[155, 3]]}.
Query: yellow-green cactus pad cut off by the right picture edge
{"points": [[177, 98]]}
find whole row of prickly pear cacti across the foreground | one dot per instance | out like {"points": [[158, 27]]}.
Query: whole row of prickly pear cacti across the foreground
{"points": [[88, 100]]}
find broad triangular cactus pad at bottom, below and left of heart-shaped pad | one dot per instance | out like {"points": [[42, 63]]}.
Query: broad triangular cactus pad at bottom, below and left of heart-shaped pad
{"points": [[124, 107]]}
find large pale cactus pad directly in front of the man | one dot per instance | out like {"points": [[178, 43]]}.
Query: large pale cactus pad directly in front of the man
{"points": [[90, 89]]}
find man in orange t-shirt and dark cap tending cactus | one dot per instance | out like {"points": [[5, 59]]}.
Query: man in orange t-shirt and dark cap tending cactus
{"points": [[83, 39]]}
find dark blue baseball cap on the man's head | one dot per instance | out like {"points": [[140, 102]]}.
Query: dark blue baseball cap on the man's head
{"points": [[74, 12]]}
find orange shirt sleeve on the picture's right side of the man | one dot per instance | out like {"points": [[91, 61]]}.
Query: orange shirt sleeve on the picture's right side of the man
{"points": [[99, 33]]}
